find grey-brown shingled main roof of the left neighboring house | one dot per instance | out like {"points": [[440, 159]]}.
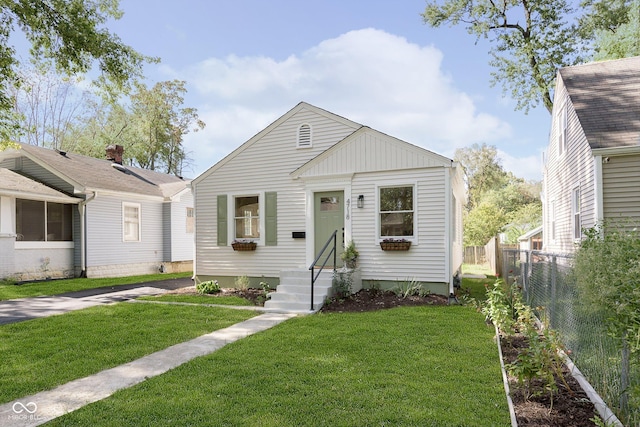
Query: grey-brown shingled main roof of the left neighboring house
{"points": [[91, 174]]}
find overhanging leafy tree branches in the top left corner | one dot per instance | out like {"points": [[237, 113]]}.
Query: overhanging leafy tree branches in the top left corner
{"points": [[69, 33]]}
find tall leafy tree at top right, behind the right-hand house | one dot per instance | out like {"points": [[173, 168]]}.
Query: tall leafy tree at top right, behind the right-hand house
{"points": [[531, 39]]}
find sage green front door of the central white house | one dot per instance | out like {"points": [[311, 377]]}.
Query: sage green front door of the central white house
{"points": [[329, 216]]}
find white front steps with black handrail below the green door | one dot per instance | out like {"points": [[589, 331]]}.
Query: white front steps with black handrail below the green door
{"points": [[293, 294]]}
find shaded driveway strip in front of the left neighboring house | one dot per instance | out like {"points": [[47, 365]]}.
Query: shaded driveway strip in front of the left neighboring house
{"points": [[18, 310]]}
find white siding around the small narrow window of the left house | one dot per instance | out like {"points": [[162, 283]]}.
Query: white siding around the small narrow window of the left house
{"points": [[105, 245]]}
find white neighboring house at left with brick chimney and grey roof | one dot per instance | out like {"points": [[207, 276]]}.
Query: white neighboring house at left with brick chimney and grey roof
{"points": [[66, 215]]}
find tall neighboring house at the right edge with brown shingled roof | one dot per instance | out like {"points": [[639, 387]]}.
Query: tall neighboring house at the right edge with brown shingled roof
{"points": [[592, 169]]}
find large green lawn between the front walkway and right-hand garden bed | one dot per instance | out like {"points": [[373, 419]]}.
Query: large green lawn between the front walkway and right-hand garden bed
{"points": [[418, 366]]}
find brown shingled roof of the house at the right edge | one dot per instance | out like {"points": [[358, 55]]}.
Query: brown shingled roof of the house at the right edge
{"points": [[606, 98]]}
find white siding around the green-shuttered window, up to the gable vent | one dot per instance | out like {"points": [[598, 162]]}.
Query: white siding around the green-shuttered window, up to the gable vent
{"points": [[263, 165]]}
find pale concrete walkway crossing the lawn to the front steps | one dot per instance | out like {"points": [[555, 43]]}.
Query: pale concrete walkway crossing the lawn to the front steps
{"points": [[44, 406]]}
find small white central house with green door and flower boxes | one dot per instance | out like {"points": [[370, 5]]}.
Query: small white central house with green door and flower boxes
{"points": [[312, 172]]}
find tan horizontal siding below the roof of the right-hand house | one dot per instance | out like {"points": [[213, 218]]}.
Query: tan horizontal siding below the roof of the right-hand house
{"points": [[621, 189]]}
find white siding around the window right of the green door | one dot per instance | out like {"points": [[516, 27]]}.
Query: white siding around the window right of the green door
{"points": [[426, 259]]}
